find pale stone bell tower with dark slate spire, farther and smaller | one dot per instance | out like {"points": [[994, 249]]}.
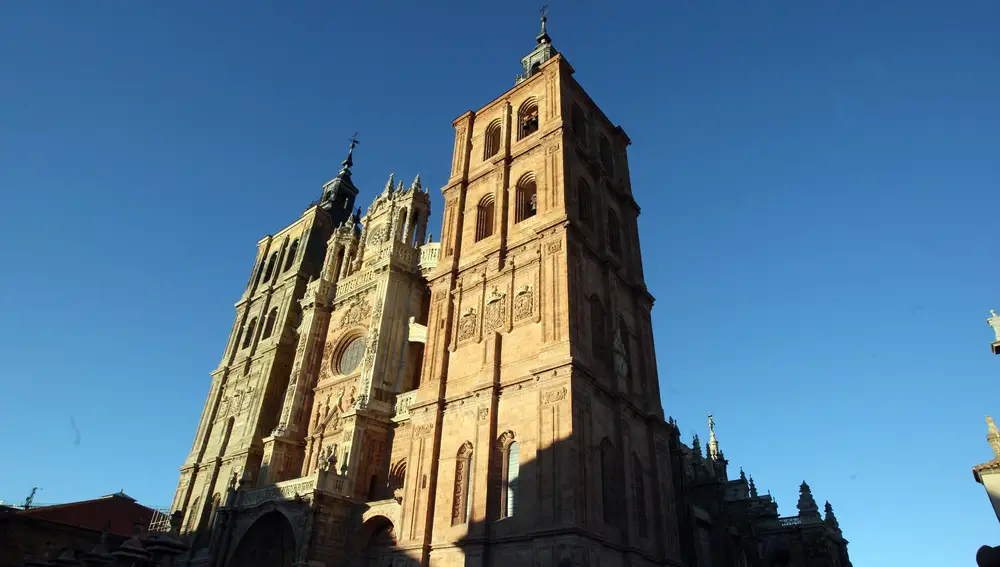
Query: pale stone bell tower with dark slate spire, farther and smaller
{"points": [[243, 430]]}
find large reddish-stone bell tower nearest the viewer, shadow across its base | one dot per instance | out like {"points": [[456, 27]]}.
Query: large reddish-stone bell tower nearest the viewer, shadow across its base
{"points": [[539, 341]]}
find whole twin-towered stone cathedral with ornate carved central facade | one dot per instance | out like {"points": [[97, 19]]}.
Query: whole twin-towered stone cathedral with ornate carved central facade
{"points": [[488, 399]]}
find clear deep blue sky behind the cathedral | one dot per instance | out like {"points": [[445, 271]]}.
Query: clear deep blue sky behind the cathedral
{"points": [[818, 183]]}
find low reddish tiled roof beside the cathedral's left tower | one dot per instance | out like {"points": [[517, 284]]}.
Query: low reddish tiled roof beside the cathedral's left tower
{"points": [[117, 511]]}
